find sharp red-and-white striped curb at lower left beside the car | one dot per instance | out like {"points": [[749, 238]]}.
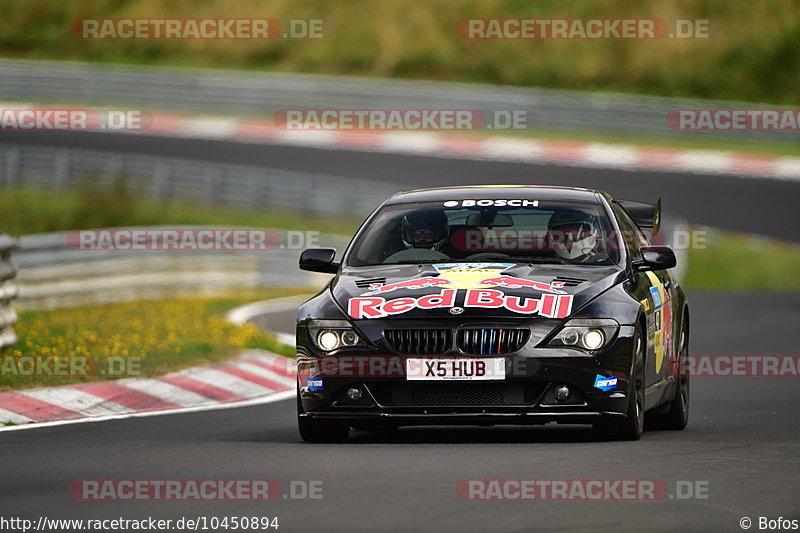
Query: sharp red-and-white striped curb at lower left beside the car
{"points": [[255, 377]]}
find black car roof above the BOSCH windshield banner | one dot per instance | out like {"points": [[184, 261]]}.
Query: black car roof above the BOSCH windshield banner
{"points": [[480, 192]]}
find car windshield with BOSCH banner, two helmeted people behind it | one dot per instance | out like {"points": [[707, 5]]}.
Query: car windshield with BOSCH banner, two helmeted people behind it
{"points": [[515, 230]]}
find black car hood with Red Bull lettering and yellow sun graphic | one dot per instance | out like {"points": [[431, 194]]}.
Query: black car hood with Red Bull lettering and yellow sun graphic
{"points": [[470, 290]]}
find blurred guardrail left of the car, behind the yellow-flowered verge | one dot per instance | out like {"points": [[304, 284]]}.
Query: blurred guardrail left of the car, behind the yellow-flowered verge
{"points": [[54, 275]]}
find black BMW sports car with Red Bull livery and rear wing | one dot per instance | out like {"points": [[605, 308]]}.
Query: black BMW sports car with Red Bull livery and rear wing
{"points": [[495, 305]]}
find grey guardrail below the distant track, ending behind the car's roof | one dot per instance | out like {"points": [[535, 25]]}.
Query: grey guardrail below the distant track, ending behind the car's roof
{"points": [[162, 178]]}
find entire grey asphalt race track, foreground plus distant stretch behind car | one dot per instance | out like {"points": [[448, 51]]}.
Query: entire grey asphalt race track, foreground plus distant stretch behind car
{"points": [[742, 442]]}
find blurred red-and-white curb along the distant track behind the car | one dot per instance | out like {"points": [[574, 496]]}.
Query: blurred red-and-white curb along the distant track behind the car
{"points": [[494, 147]]}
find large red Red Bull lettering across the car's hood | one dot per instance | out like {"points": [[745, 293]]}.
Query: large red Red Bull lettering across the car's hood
{"points": [[549, 305]]}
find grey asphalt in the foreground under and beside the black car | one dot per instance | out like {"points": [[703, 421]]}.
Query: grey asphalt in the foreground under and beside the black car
{"points": [[742, 443]]}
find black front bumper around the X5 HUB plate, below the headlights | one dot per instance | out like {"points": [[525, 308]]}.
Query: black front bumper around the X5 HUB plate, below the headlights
{"points": [[526, 396]]}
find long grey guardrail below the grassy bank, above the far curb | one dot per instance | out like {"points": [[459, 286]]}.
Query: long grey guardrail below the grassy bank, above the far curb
{"points": [[260, 93]]}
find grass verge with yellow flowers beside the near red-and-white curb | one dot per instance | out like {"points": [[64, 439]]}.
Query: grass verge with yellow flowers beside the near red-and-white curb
{"points": [[148, 337]]}
